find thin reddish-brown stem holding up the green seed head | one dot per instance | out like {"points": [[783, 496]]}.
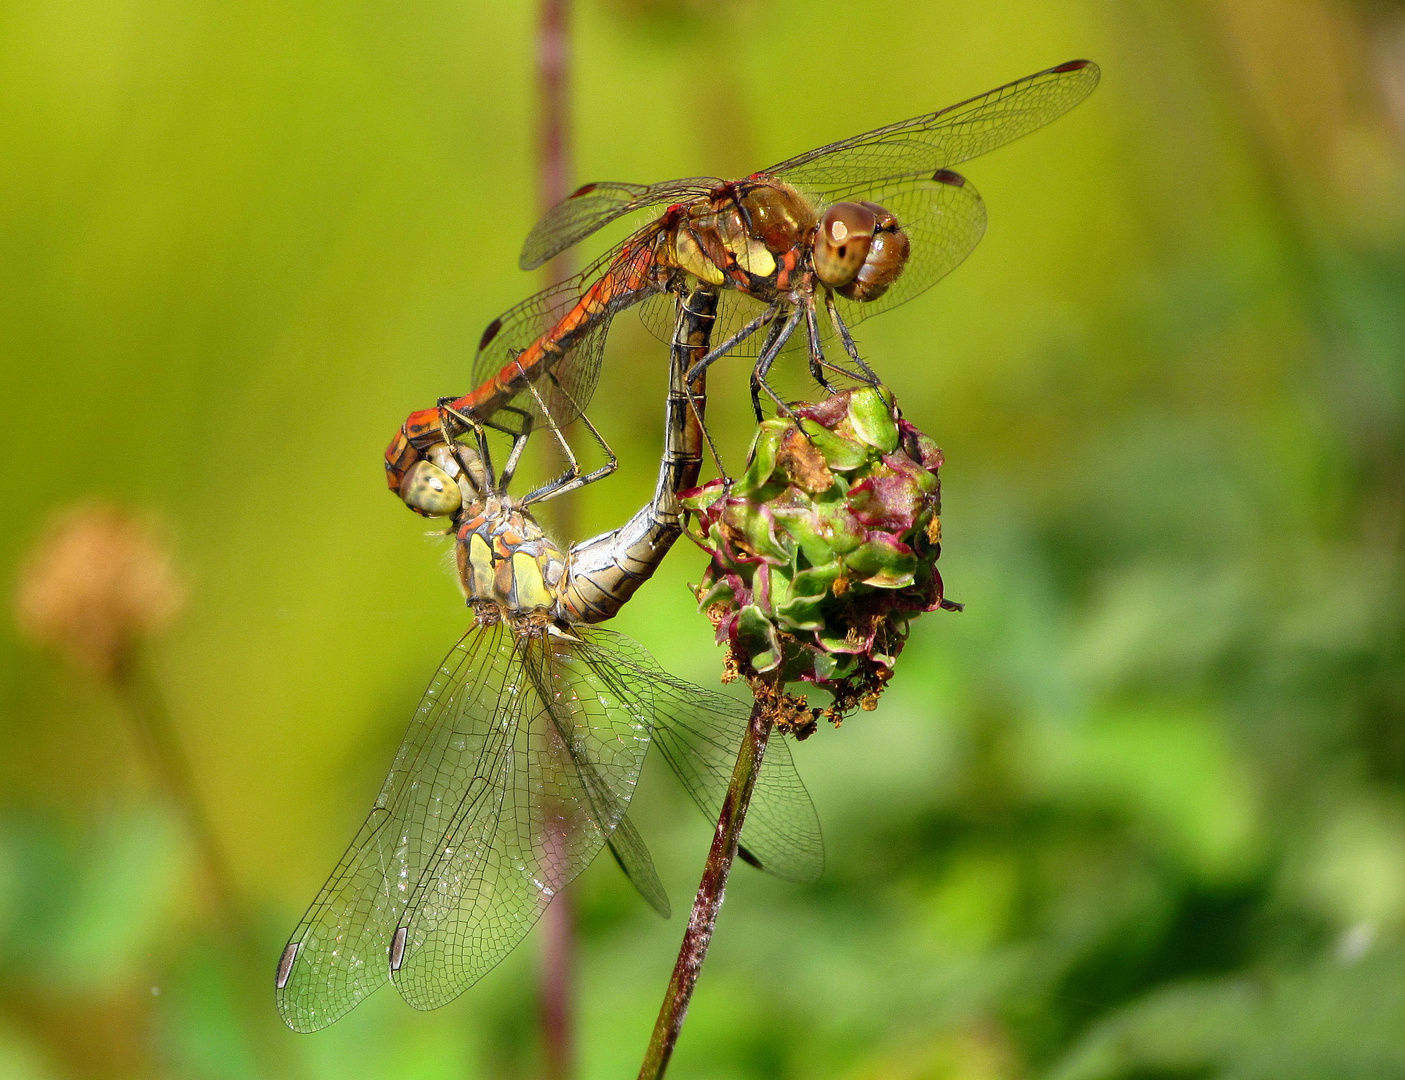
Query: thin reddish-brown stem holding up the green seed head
{"points": [[712, 890]]}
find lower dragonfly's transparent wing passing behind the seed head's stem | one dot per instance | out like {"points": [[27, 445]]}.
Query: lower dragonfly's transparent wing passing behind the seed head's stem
{"points": [[699, 732]]}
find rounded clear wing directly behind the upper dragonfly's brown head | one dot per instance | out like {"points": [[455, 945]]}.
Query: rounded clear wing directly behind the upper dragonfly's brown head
{"points": [[945, 220]]}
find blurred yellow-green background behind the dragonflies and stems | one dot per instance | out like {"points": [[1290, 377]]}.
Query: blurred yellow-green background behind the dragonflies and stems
{"points": [[1136, 815]]}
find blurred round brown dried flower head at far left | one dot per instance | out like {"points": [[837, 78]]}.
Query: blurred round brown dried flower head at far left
{"points": [[95, 585]]}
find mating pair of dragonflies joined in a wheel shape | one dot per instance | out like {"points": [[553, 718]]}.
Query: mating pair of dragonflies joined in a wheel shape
{"points": [[523, 756]]}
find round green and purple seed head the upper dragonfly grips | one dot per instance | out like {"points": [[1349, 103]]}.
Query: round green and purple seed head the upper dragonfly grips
{"points": [[825, 548]]}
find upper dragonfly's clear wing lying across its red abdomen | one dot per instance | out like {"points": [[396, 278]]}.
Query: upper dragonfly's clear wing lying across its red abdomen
{"points": [[570, 322]]}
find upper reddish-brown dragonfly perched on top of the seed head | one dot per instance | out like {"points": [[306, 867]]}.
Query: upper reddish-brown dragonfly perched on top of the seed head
{"points": [[821, 241]]}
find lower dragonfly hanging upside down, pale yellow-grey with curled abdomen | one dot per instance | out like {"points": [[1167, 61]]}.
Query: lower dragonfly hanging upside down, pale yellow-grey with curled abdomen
{"points": [[523, 756]]}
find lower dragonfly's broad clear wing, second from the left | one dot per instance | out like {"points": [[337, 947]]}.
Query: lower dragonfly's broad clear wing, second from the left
{"points": [[566, 735]]}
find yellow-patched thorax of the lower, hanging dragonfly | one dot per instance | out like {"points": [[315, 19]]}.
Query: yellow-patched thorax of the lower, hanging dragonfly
{"points": [[505, 560]]}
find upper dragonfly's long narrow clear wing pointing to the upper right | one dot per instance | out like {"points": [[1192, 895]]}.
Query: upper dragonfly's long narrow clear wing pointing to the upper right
{"points": [[946, 138]]}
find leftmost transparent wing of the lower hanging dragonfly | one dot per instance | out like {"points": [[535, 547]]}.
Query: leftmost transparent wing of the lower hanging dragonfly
{"points": [[341, 951]]}
